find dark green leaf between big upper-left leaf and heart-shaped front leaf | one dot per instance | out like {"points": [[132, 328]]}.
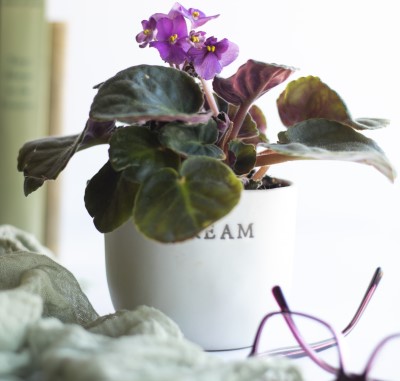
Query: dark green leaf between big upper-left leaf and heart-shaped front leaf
{"points": [[138, 151]]}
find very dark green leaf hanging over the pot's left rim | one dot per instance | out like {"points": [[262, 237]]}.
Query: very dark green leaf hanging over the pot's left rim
{"points": [[109, 198]]}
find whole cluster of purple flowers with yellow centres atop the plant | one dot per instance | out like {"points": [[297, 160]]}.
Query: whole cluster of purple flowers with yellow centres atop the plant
{"points": [[183, 48]]}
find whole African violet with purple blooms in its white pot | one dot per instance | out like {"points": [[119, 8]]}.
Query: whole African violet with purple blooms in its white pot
{"points": [[181, 156]]}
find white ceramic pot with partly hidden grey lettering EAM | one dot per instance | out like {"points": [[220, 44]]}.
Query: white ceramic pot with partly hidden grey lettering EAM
{"points": [[216, 287]]}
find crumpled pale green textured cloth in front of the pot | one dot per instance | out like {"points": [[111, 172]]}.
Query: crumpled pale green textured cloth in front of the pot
{"points": [[49, 331]]}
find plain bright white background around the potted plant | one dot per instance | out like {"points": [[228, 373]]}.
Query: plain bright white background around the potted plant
{"points": [[348, 214]]}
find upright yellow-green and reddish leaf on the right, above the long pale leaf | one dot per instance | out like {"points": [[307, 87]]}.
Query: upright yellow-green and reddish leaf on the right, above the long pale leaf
{"points": [[310, 98]]}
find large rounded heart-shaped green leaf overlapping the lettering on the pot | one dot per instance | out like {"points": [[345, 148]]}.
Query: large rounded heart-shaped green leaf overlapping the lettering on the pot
{"points": [[172, 206]]}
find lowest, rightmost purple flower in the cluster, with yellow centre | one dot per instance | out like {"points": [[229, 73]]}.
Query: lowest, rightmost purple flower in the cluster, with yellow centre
{"points": [[213, 56]]}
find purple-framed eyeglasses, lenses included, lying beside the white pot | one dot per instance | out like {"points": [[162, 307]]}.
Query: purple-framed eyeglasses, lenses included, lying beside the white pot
{"points": [[298, 335]]}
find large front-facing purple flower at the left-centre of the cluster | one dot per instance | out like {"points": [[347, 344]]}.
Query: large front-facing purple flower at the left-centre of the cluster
{"points": [[172, 39]]}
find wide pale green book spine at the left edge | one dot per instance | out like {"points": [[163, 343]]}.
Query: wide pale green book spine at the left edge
{"points": [[24, 100]]}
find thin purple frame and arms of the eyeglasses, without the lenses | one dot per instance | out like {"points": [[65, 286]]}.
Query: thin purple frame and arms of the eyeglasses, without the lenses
{"points": [[311, 349]]}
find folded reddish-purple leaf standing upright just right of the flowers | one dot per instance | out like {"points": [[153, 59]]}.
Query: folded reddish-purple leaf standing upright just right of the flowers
{"points": [[252, 80]]}
